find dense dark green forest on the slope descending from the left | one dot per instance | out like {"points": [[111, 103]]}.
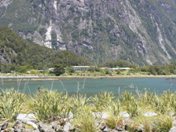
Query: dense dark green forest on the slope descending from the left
{"points": [[17, 53]]}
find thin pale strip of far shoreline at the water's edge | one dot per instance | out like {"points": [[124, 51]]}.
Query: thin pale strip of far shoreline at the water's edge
{"points": [[43, 77]]}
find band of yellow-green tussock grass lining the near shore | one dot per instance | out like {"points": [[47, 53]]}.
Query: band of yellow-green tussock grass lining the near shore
{"points": [[126, 111]]}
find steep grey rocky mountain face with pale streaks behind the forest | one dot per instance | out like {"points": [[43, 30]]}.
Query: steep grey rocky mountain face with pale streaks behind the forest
{"points": [[140, 31]]}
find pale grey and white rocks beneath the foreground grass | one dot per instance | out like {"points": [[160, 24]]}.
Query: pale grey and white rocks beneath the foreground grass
{"points": [[29, 123]]}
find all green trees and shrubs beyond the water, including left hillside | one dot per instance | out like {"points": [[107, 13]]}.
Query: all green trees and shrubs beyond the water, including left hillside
{"points": [[21, 56]]}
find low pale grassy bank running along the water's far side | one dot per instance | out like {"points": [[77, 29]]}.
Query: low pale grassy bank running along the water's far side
{"points": [[80, 75]]}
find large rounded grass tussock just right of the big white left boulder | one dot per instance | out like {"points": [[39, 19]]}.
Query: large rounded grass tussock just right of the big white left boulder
{"points": [[49, 105]]}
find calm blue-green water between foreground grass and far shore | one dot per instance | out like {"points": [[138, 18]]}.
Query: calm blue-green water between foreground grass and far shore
{"points": [[92, 86]]}
